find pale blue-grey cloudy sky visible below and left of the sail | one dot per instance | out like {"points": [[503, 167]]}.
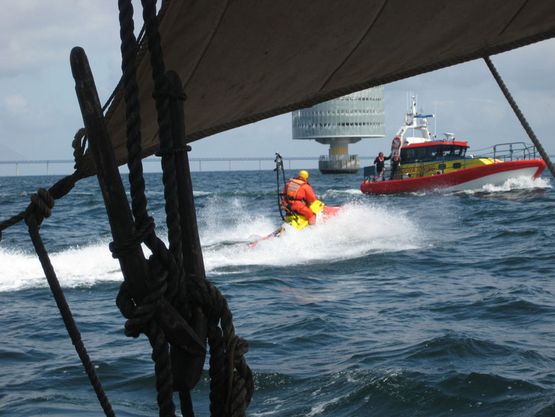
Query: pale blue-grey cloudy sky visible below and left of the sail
{"points": [[39, 113]]}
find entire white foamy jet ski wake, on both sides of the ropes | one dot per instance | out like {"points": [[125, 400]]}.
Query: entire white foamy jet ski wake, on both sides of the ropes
{"points": [[358, 230]]}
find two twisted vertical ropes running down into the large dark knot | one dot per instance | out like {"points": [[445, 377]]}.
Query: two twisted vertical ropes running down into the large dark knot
{"points": [[231, 379]]}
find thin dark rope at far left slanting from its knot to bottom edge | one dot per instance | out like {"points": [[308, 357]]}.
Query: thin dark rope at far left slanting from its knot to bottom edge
{"points": [[41, 207]]}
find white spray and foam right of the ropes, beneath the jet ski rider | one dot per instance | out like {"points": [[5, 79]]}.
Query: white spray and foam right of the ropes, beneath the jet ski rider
{"points": [[358, 229]]}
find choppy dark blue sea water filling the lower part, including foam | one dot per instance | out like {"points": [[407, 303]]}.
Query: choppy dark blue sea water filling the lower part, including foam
{"points": [[440, 304]]}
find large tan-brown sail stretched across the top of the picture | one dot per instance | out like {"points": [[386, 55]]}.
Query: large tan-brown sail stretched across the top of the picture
{"points": [[246, 60]]}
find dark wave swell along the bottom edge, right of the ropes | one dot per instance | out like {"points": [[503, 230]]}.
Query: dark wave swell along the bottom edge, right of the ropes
{"points": [[396, 392]]}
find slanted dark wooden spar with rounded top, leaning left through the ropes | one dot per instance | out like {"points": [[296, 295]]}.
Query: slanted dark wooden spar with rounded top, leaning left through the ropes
{"points": [[131, 258]]}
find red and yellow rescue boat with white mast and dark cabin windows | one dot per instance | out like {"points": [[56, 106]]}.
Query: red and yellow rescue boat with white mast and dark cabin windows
{"points": [[428, 164]]}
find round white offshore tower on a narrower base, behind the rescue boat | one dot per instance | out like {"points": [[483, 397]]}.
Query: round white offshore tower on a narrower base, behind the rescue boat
{"points": [[338, 123]]}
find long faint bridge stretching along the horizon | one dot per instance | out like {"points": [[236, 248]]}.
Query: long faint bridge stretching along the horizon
{"points": [[223, 163]]}
